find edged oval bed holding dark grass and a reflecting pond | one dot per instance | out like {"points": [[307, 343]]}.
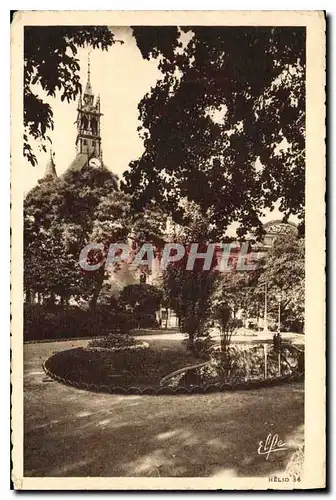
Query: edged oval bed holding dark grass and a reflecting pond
{"points": [[152, 371]]}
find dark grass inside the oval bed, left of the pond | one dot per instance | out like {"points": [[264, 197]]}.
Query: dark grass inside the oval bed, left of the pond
{"points": [[141, 368]]}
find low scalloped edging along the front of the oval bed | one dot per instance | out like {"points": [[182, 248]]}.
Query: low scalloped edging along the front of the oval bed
{"points": [[186, 390]]}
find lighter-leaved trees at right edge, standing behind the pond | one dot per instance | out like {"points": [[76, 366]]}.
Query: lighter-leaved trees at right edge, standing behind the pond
{"points": [[283, 271]]}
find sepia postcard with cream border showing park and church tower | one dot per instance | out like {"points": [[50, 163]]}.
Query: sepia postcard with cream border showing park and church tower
{"points": [[167, 203]]}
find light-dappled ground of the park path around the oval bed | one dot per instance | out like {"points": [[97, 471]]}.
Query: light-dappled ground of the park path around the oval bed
{"points": [[70, 432]]}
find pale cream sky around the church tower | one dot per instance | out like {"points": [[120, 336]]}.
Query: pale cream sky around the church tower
{"points": [[122, 78]]}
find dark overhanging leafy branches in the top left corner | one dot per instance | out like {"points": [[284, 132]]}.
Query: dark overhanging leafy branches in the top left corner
{"points": [[50, 62]]}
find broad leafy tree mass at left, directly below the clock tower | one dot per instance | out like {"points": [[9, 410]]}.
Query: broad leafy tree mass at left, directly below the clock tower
{"points": [[61, 217]]}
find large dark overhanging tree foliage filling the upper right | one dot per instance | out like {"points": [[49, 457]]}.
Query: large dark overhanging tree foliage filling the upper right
{"points": [[224, 127]]}
